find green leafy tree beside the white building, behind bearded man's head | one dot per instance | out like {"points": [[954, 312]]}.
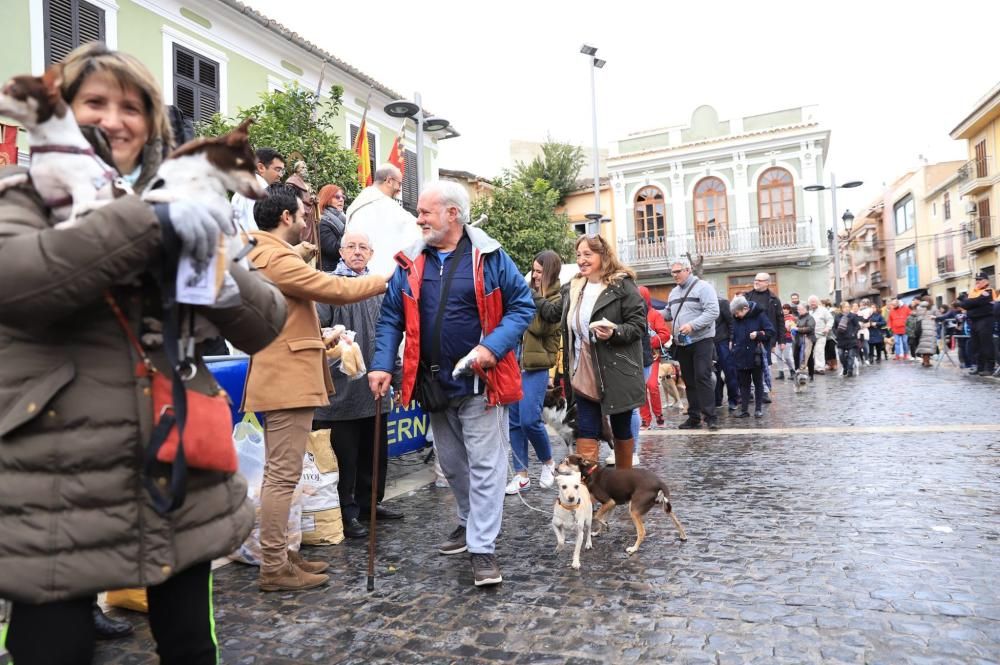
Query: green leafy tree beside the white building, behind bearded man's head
{"points": [[523, 220]]}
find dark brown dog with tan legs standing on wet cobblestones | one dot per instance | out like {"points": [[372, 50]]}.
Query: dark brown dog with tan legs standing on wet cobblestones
{"points": [[639, 488]]}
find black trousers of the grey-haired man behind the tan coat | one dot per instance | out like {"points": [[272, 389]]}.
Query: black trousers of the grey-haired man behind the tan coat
{"points": [[353, 444]]}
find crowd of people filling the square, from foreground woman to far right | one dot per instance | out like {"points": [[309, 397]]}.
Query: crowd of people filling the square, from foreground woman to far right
{"points": [[441, 314]]}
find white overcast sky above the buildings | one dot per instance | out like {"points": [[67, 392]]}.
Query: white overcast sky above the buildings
{"points": [[891, 78]]}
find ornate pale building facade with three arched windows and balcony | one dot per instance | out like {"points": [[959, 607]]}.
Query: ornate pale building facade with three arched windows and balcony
{"points": [[731, 194]]}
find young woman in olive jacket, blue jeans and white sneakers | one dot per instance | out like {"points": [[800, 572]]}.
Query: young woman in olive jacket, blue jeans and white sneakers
{"points": [[539, 351]]}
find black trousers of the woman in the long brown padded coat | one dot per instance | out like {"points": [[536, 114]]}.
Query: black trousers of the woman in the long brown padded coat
{"points": [[62, 632]]}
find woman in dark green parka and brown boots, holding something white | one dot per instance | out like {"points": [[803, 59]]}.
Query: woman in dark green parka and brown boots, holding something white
{"points": [[604, 318]]}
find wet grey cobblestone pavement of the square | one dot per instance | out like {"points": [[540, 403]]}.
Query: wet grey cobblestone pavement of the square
{"points": [[871, 540]]}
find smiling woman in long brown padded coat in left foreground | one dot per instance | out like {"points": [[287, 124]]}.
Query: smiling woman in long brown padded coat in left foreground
{"points": [[75, 407]]}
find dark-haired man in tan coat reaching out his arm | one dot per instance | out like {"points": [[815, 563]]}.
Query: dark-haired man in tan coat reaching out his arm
{"points": [[290, 378]]}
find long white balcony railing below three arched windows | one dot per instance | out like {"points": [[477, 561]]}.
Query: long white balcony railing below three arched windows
{"points": [[767, 237]]}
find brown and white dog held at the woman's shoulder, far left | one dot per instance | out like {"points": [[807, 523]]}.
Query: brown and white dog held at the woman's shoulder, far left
{"points": [[65, 171]]}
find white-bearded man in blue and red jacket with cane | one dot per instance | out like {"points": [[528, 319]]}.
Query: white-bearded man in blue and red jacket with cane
{"points": [[487, 309]]}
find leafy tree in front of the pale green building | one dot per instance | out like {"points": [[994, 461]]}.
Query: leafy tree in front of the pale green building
{"points": [[300, 125]]}
